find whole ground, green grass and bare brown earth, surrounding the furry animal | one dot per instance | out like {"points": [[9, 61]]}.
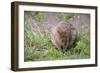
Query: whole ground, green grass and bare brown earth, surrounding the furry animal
{"points": [[37, 43]]}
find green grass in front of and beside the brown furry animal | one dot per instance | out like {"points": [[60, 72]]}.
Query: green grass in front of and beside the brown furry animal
{"points": [[38, 46]]}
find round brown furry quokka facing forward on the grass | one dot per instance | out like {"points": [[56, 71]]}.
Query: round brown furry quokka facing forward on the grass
{"points": [[63, 35]]}
